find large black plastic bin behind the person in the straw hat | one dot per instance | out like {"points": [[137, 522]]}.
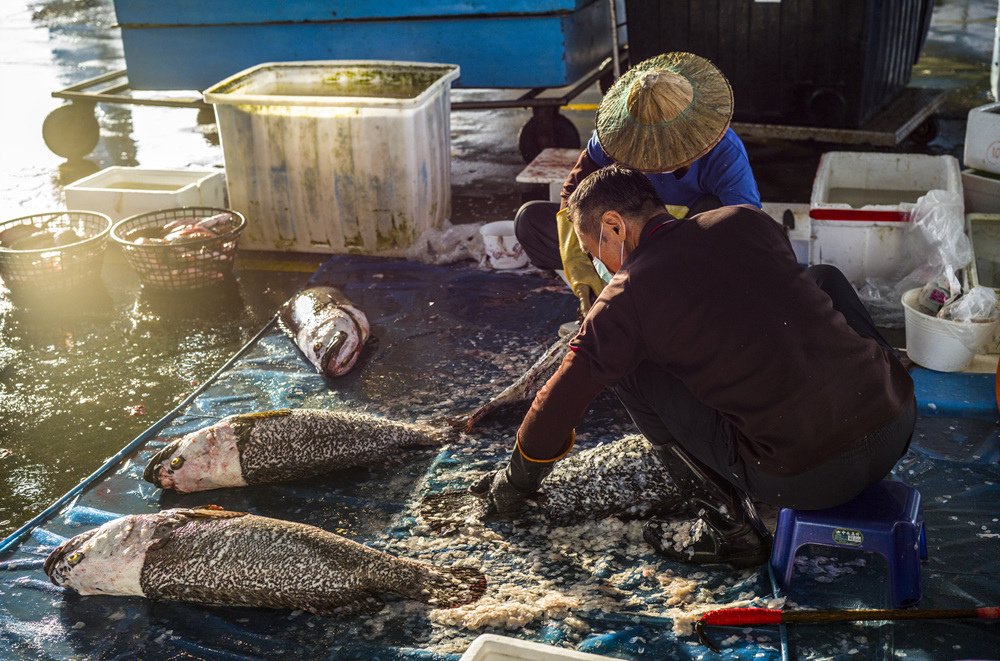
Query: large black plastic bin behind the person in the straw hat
{"points": [[814, 62]]}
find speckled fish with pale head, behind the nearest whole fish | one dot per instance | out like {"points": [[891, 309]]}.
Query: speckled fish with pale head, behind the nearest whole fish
{"points": [[276, 446]]}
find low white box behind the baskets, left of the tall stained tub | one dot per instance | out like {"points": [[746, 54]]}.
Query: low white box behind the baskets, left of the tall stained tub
{"points": [[119, 192]]}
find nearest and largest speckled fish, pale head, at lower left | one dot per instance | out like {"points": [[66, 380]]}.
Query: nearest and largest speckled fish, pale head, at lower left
{"points": [[214, 557]]}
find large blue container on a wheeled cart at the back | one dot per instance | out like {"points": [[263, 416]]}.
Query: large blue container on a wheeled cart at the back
{"points": [[192, 44]]}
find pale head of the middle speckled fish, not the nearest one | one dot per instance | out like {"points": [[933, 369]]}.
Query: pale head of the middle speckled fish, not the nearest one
{"points": [[205, 459]]}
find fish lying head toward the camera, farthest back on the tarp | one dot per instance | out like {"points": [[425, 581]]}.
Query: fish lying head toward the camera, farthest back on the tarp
{"points": [[326, 327]]}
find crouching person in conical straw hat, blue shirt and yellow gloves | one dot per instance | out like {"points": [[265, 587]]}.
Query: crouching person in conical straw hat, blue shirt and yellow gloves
{"points": [[667, 117]]}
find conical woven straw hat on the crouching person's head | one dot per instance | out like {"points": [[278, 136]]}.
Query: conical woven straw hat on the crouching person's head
{"points": [[665, 112]]}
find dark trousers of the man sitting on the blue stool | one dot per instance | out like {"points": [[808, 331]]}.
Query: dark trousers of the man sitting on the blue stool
{"points": [[665, 411]]}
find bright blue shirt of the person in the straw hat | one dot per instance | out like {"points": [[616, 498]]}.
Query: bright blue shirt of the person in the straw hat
{"points": [[724, 172]]}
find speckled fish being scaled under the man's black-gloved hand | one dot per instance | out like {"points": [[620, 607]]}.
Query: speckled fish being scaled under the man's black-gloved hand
{"points": [[623, 478]]}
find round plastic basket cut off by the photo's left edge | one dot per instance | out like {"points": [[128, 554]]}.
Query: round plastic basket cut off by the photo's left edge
{"points": [[58, 268]]}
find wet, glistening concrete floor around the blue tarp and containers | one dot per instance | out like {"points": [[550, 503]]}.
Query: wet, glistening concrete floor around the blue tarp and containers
{"points": [[80, 378]]}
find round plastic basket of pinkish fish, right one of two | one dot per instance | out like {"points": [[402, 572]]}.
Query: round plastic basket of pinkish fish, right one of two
{"points": [[188, 264]]}
